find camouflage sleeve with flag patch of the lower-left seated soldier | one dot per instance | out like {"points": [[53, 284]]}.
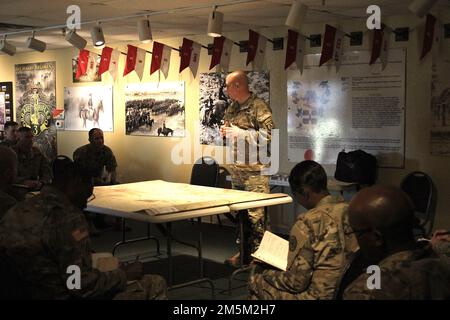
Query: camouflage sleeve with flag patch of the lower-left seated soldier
{"points": [[70, 244]]}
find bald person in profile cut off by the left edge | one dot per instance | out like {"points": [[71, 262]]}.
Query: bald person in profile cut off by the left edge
{"points": [[8, 173]]}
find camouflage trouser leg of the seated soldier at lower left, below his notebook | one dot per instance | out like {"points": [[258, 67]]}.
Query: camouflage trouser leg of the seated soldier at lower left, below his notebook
{"points": [[150, 287]]}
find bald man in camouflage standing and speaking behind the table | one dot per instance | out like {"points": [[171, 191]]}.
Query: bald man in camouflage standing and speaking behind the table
{"points": [[248, 119]]}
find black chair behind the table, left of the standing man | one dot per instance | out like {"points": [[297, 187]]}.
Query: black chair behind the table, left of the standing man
{"points": [[205, 172]]}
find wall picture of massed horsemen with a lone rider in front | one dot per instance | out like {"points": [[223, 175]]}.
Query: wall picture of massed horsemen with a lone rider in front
{"points": [[155, 109]]}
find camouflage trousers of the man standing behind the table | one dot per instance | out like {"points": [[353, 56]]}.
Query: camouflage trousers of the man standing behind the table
{"points": [[254, 223]]}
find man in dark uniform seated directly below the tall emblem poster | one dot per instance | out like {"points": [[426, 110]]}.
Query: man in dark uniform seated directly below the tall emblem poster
{"points": [[34, 168]]}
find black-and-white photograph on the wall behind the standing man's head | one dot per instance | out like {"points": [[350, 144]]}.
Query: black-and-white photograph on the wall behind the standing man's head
{"points": [[214, 101]]}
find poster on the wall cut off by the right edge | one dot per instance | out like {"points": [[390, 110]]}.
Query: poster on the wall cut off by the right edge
{"points": [[440, 106]]}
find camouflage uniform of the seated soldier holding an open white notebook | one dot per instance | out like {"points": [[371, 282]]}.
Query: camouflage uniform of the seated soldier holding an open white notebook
{"points": [[319, 248]]}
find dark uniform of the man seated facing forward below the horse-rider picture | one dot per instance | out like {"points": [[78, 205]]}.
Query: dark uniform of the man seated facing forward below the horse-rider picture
{"points": [[94, 160]]}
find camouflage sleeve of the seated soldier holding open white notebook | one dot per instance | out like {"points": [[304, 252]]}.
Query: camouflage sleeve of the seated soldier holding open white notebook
{"points": [[297, 277]]}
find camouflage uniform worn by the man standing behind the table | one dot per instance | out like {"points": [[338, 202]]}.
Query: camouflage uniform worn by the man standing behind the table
{"points": [[252, 116]]}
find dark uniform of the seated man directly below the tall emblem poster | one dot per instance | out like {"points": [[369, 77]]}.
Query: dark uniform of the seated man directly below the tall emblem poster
{"points": [[33, 166]]}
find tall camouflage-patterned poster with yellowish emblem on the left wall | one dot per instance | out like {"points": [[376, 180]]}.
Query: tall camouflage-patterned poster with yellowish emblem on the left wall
{"points": [[35, 101]]}
